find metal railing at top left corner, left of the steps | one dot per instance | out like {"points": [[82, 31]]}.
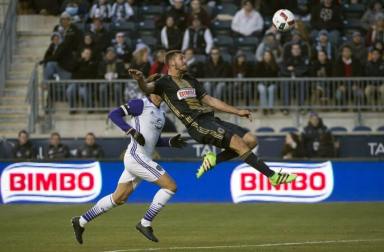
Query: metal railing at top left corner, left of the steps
{"points": [[7, 41]]}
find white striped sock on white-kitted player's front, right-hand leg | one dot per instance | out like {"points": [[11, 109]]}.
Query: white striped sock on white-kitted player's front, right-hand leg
{"points": [[161, 198]]}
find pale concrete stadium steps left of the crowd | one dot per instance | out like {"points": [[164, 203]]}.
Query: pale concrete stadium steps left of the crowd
{"points": [[33, 38]]}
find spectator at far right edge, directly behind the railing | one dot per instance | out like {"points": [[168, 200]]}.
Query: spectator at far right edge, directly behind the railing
{"points": [[375, 68]]}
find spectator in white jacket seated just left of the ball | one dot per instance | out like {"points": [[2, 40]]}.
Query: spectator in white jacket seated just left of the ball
{"points": [[247, 21]]}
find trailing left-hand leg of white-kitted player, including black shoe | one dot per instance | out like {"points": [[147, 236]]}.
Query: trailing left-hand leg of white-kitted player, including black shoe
{"points": [[119, 197]]}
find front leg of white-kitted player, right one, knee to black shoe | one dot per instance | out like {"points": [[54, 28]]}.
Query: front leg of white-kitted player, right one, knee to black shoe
{"points": [[167, 190]]}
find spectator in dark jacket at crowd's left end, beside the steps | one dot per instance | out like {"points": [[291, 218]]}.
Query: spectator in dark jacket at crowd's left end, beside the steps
{"points": [[62, 61]]}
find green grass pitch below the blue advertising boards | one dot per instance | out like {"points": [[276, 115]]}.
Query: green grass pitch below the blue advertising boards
{"points": [[47, 227]]}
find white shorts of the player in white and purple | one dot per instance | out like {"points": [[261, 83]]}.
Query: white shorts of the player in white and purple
{"points": [[138, 167]]}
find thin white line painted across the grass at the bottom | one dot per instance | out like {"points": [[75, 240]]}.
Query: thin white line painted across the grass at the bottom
{"points": [[248, 245]]}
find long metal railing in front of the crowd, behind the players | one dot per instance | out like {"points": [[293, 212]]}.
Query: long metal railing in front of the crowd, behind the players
{"points": [[341, 94]]}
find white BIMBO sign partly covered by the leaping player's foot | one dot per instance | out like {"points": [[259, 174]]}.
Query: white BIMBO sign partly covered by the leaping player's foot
{"points": [[314, 183]]}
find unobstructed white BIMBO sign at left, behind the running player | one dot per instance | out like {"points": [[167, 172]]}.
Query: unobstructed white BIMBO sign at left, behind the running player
{"points": [[50, 182]]}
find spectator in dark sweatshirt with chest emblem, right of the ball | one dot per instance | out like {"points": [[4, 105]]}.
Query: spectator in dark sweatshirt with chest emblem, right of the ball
{"points": [[327, 15]]}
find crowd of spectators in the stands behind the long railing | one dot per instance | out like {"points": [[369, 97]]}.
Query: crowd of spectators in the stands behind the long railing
{"points": [[101, 39]]}
